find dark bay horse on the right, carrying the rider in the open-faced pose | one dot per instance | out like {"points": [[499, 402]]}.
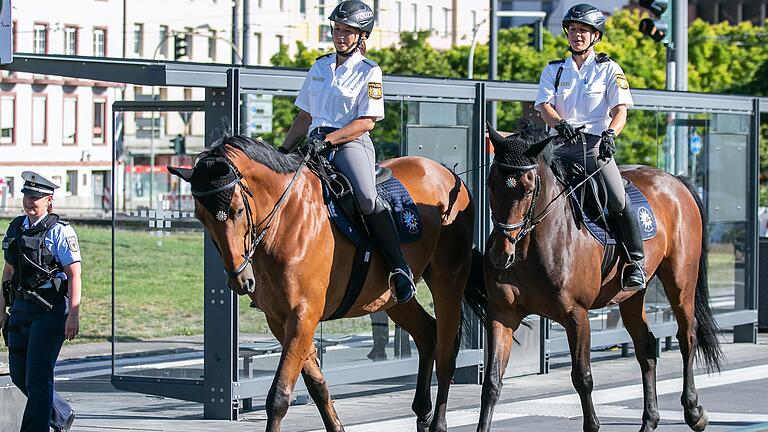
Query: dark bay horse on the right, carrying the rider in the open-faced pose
{"points": [[538, 262]]}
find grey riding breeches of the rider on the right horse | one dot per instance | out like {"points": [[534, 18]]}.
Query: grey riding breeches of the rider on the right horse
{"points": [[613, 183]]}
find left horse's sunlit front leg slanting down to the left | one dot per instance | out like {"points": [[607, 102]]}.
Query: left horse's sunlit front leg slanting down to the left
{"points": [[297, 345]]}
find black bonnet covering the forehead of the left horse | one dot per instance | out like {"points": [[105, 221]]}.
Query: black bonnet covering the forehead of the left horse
{"points": [[213, 173]]}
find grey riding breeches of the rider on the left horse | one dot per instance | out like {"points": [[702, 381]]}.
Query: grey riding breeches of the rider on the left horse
{"points": [[357, 160]]}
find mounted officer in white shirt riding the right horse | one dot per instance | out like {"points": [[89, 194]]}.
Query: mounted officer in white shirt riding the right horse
{"points": [[591, 91]]}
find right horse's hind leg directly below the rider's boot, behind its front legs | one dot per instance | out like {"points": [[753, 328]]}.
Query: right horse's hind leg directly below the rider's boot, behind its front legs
{"points": [[635, 321]]}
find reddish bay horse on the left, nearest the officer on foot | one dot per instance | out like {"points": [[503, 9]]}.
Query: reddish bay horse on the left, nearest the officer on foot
{"points": [[275, 238]]}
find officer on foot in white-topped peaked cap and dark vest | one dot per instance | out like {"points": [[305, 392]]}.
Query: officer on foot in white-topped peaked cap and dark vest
{"points": [[41, 285]]}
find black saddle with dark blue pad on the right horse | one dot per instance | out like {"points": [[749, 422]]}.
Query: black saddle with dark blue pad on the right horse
{"points": [[589, 201]]}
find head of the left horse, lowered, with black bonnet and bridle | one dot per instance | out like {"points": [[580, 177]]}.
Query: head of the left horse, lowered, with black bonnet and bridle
{"points": [[224, 205]]}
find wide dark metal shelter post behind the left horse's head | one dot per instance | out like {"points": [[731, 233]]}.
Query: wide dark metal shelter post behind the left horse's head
{"points": [[220, 309]]}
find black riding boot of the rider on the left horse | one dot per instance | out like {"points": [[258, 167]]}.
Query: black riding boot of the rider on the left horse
{"points": [[385, 233]]}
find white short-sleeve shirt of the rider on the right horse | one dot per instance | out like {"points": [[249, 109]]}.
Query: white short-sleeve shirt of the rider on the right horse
{"points": [[585, 96]]}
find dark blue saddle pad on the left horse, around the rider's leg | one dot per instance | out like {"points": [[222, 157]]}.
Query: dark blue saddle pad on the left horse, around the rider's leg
{"points": [[404, 212]]}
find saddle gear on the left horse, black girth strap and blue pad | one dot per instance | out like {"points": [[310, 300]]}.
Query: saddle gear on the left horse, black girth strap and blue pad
{"points": [[343, 211]]}
